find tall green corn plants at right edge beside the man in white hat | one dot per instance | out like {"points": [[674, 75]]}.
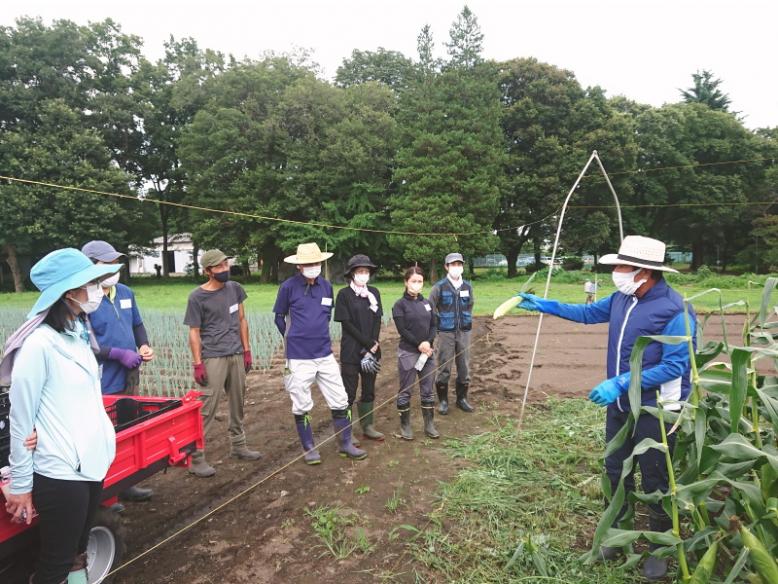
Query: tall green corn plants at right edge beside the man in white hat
{"points": [[723, 495]]}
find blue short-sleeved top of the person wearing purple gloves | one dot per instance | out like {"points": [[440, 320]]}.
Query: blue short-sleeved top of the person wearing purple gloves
{"points": [[113, 324]]}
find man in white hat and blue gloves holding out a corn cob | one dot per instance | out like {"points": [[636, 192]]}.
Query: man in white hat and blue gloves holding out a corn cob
{"points": [[644, 304]]}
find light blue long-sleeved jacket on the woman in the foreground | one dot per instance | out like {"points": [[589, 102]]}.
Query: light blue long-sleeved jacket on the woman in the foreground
{"points": [[55, 388]]}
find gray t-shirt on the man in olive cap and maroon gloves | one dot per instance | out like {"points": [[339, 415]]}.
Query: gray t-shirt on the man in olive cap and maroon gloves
{"points": [[217, 315]]}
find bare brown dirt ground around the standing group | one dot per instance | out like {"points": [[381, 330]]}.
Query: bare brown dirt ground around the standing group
{"points": [[266, 536]]}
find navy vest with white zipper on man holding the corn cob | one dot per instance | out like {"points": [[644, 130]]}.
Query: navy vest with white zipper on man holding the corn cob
{"points": [[631, 318]]}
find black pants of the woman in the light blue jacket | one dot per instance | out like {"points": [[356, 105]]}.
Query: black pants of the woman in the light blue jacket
{"points": [[66, 511]]}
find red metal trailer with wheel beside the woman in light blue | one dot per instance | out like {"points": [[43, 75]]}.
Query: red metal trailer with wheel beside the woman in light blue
{"points": [[152, 433]]}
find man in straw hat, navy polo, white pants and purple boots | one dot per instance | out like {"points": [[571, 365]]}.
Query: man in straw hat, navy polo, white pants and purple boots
{"points": [[303, 312]]}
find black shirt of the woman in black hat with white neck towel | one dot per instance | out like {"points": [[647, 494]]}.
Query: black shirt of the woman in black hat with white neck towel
{"points": [[361, 326]]}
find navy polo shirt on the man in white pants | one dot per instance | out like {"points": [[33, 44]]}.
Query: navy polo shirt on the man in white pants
{"points": [[308, 310]]}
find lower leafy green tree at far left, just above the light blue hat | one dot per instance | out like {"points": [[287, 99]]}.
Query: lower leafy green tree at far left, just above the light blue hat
{"points": [[34, 220]]}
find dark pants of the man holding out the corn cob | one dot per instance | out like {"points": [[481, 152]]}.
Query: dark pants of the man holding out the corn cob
{"points": [[653, 467]]}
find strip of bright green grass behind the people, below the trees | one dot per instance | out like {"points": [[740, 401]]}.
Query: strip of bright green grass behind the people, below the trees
{"points": [[489, 293]]}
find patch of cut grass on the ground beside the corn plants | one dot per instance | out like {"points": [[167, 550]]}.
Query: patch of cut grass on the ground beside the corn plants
{"points": [[525, 507]]}
